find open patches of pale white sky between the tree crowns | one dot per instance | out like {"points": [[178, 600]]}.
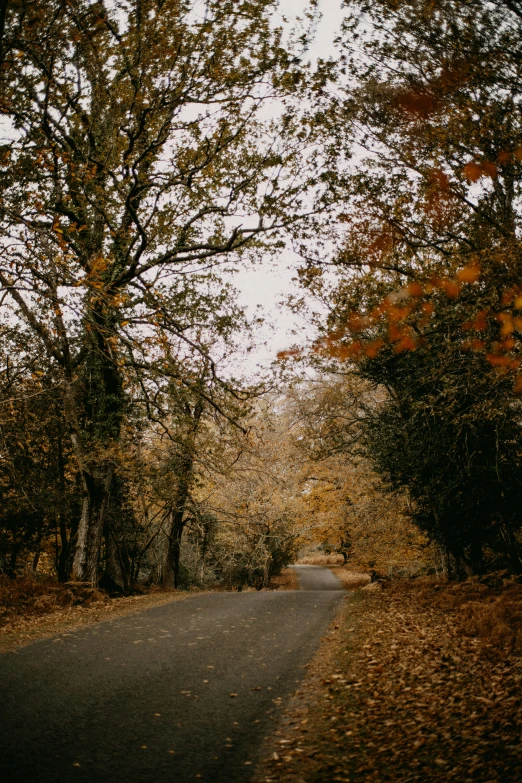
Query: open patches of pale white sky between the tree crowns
{"points": [[266, 285]]}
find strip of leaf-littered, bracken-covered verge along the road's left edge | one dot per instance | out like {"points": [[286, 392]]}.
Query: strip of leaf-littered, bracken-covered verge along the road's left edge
{"points": [[32, 609]]}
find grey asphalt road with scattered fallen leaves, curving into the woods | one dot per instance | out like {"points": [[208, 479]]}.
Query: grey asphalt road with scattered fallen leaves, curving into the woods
{"points": [[181, 692]]}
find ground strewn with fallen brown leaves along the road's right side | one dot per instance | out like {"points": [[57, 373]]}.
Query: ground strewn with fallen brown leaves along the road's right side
{"points": [[417, 681]]}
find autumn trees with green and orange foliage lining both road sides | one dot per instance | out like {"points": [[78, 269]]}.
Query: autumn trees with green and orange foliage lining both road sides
{"points": [[148, 145]]}
